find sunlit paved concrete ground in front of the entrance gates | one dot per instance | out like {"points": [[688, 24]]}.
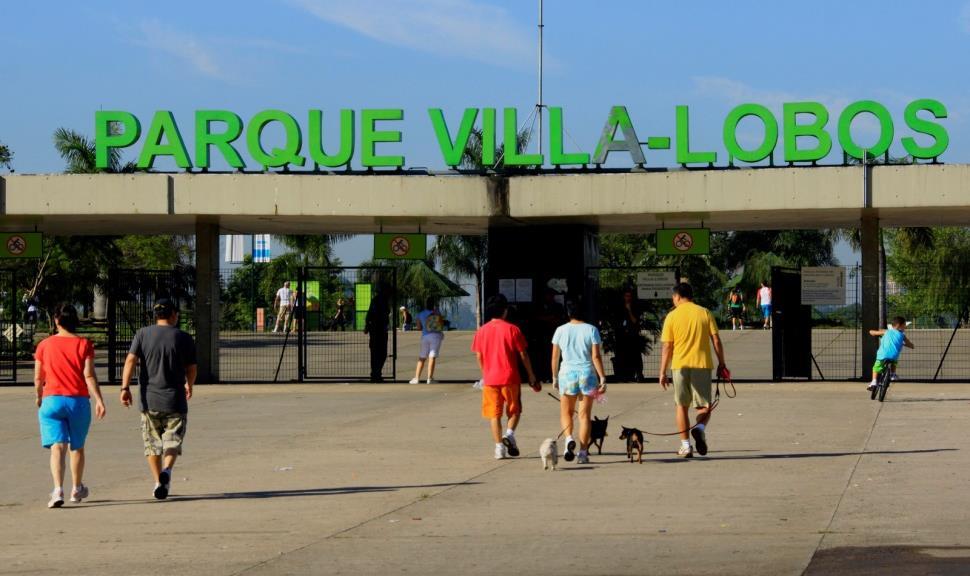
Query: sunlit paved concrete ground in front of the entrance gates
{"points": [[396, 479]]}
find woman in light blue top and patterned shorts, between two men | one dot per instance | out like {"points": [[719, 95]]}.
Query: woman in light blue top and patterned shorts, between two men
{"points": [[581, 374]]}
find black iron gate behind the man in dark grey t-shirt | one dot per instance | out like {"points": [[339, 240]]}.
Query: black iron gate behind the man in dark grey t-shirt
{"points": [[131, 298]]}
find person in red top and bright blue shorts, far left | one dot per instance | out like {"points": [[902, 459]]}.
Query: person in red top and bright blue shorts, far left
{"points": [[64, 380]]}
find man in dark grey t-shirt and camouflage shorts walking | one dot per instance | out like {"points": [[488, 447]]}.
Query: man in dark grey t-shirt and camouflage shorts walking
{"points": [[167, 360]]}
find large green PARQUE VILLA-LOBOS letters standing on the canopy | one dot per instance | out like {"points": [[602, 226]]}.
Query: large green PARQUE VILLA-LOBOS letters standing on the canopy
{"points": [[804, 134]]}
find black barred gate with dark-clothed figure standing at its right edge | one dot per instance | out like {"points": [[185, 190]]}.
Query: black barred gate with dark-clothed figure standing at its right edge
{"points": [[331, 310]]}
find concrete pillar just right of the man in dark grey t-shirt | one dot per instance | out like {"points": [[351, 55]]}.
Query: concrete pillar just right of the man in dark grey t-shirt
{"points": [[207, 300]]}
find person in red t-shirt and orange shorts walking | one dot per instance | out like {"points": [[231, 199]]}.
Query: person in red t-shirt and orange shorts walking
{"points": [[499, 345]]}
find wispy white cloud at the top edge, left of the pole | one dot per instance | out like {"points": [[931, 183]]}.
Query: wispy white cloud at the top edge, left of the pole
{"points": [[464, 28]]}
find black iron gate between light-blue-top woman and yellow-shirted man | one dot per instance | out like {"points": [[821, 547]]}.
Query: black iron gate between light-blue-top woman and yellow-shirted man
{"points": [[629, 352]]}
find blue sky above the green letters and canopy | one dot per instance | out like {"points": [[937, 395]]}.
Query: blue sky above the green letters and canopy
{"points": [[64, 60]]}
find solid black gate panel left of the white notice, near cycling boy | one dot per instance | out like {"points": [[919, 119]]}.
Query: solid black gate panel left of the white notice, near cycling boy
{"points": [[791, 337]]}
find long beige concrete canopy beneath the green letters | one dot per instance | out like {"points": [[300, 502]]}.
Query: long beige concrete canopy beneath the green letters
{"points": [[722, 199]]}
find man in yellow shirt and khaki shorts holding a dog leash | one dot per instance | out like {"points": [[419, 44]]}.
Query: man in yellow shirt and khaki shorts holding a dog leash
{"points": [[688, 333]]}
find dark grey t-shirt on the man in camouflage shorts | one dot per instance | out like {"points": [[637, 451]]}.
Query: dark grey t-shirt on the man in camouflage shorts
{"points": [[163, 353]]}
